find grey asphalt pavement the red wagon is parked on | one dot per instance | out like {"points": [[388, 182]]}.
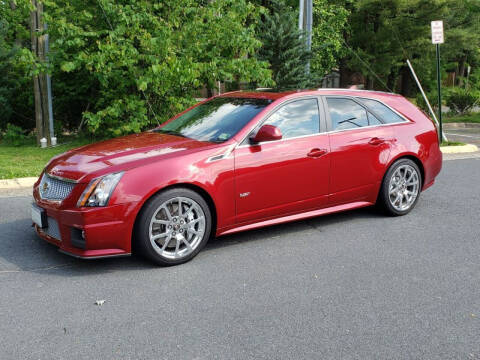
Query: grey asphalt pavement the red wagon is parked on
{"points": [[348, 286]]}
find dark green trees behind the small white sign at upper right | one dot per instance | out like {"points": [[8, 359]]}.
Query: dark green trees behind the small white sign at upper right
{"points": [[385, 33]]}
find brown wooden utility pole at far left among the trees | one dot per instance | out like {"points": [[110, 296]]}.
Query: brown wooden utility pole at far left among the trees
{"points": [[40, 88]]}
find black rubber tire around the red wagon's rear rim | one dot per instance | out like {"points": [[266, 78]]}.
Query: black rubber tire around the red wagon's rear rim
{"points": [[383, 200]]}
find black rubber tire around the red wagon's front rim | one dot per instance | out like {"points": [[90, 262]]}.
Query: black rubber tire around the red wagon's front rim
{"points": [[142, 242]]}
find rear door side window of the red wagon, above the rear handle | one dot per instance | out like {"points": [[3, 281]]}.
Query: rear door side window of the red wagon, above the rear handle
{"points": [[346, 114]]}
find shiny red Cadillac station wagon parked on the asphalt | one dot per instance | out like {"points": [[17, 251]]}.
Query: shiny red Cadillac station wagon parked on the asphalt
{"points": [[236, 162]]}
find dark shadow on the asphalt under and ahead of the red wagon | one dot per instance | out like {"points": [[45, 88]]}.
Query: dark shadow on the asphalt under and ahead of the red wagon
{"points": [[23, 251]]}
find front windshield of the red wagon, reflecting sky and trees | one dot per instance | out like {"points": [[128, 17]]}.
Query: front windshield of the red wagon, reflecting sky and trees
{"points": [[216, 120]]}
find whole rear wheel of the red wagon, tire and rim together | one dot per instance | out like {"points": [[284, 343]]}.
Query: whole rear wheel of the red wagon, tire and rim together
{"points": [[400, 188]]}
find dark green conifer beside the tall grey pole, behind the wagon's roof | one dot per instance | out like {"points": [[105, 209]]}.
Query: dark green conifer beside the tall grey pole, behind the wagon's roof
{"points": [[283, 47]]}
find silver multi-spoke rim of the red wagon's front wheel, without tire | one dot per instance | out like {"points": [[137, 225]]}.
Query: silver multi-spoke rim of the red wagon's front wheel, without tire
{"points": [[177, 227]]}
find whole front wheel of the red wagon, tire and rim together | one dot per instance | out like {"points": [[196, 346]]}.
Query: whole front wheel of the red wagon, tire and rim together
{"points": [[173, 226]]}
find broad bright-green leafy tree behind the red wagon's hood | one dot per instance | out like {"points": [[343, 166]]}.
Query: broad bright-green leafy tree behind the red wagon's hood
{"points": [[126, 65]]}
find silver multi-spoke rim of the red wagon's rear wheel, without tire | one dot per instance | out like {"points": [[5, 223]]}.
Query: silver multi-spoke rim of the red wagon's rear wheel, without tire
{"points": [[403, 187]]}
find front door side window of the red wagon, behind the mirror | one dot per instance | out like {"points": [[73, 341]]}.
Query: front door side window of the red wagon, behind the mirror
{"points": [[297, 118]]}
